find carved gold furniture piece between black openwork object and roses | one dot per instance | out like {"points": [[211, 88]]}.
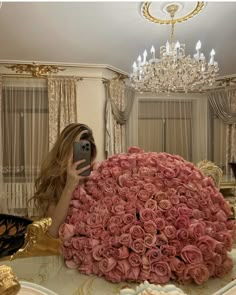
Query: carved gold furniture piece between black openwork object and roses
{"points": [[37, 241]]}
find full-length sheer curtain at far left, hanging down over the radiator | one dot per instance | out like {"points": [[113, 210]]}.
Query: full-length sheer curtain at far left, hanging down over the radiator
{"points": [[24, 144]]}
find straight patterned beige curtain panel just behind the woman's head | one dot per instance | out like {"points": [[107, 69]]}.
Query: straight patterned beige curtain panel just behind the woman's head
{"points": [[62, 96]]}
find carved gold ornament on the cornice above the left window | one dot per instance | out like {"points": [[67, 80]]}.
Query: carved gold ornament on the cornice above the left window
{"points": [[35, 69]]}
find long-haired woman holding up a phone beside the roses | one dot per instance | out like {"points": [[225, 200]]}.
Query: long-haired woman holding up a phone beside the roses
{"points": [[59, 176]]}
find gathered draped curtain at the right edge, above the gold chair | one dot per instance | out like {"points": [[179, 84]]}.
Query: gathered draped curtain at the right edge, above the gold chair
{"points": [[223, 103]]}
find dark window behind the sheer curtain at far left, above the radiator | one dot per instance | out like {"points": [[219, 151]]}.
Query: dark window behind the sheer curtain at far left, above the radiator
{"points": [[24, 130]]}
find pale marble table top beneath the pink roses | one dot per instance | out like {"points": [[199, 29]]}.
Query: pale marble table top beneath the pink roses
{"points": [[50, 272]]}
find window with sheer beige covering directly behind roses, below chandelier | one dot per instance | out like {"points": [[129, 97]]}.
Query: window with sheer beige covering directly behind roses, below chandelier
{"points": [[166, 126]]}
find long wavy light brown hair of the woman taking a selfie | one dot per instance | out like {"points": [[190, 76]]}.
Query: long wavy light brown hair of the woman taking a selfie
{"points": [[52, 179]]}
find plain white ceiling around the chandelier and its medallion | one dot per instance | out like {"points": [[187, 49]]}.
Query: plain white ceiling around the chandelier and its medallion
{"points": [[111, 33]]}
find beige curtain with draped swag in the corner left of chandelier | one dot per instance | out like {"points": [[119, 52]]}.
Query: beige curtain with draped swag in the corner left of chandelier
{"points": [[119, 101]]}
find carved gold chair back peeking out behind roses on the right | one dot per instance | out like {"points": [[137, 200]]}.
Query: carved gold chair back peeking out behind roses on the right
{"points": [[209, 168]]}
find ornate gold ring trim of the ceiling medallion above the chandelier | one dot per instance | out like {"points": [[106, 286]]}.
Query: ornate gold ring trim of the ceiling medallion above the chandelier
{"points": [[145, 11]]}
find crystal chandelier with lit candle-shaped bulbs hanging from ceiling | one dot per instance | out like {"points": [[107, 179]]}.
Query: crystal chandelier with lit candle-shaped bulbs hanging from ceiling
{"points": [[174, 71]]}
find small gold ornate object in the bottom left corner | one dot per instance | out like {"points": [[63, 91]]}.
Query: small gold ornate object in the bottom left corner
{"points": [[8, 281]]}
